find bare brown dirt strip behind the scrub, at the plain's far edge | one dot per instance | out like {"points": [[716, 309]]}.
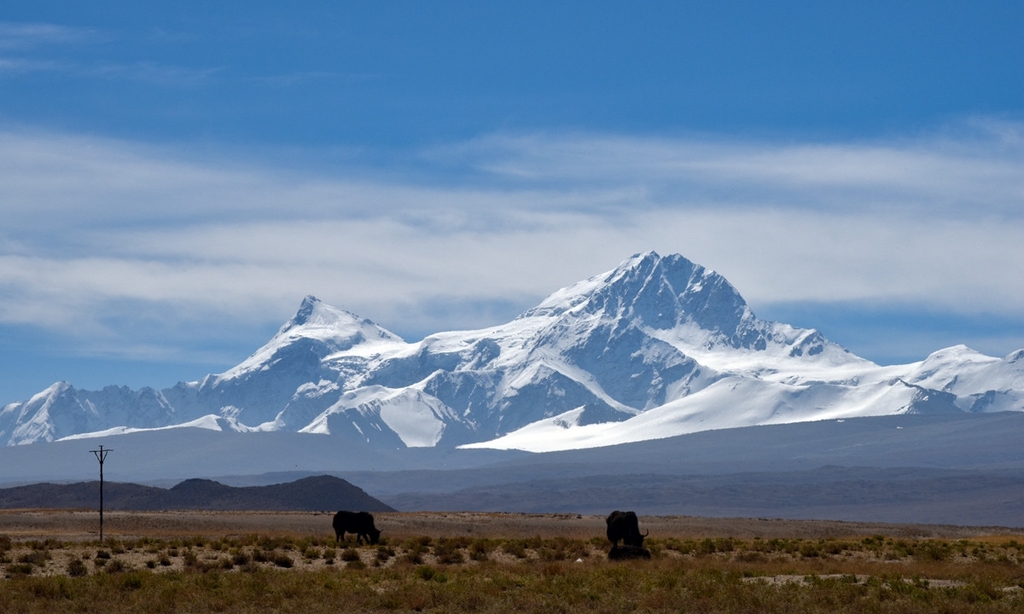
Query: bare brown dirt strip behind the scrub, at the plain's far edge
{"points": [[71, 525]]}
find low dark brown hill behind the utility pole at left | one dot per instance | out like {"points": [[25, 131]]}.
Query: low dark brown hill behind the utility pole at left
{"points": [[309, 495]]}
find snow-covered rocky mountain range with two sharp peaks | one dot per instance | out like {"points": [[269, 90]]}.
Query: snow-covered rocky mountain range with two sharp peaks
{"points": [[656, 348]]}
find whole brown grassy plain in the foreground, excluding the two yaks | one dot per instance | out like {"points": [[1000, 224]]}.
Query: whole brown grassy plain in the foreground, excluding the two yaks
{"points": [[53, 561]]}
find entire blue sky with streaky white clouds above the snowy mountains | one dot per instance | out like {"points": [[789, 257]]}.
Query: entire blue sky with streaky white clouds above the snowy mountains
{"points": [[176, 177]]}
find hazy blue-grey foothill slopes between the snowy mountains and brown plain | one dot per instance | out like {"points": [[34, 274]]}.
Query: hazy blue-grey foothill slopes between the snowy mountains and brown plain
{"points": [[957, 468]]}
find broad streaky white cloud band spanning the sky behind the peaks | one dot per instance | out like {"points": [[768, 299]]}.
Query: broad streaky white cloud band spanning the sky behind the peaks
{"points": [[92, 225]]}
